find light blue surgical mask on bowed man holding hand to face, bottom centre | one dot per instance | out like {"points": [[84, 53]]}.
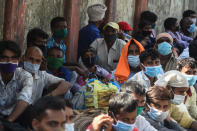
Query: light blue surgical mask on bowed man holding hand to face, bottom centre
{"points": [[121, 126]]}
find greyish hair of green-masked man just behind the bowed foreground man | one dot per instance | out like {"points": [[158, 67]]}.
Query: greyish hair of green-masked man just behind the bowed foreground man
{"points": [[133, 87]]}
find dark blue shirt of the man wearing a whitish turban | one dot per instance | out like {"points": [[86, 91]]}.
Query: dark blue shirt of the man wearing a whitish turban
{"points": [[86, 36]]}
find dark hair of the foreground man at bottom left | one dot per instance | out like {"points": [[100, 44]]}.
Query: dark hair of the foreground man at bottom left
{"points": [[45, 103]]}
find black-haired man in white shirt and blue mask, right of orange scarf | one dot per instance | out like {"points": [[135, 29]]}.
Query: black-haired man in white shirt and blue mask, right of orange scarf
{"points": [[151, 69]]}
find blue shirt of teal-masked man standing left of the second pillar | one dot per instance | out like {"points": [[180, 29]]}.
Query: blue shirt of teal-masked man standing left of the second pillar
{"points": [[51, 43]]}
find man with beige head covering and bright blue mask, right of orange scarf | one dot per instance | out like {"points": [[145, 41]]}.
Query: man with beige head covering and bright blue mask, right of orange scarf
{"points": [[167, 53]]}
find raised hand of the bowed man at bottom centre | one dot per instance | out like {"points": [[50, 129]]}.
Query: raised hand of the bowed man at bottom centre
{"points": [[100, 121]]}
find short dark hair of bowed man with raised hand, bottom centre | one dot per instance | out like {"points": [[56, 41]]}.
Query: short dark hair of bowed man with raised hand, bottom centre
{"points": [[122, 102]]}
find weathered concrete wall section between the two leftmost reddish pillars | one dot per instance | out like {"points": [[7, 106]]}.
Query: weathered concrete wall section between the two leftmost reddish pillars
{"points": [[40, 12]]}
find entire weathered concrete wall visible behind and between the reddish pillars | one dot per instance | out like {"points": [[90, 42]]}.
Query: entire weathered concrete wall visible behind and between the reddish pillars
{"points": [[40, 12]]}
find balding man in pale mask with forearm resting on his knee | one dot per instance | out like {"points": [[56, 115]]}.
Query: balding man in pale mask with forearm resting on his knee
{"points": [[42, 79]]}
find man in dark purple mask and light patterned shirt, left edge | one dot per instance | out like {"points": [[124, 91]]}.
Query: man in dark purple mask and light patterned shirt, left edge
{"points": [[16, 84]]}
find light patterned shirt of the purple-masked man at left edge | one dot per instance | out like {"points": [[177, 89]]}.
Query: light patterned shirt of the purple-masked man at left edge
{"points": [[18, 88]]}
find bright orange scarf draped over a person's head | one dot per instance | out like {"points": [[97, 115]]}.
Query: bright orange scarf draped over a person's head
{"points": [[122, 70]]}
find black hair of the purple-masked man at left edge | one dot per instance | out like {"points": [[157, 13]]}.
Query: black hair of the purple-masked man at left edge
{"points": [[11, 46]]}
